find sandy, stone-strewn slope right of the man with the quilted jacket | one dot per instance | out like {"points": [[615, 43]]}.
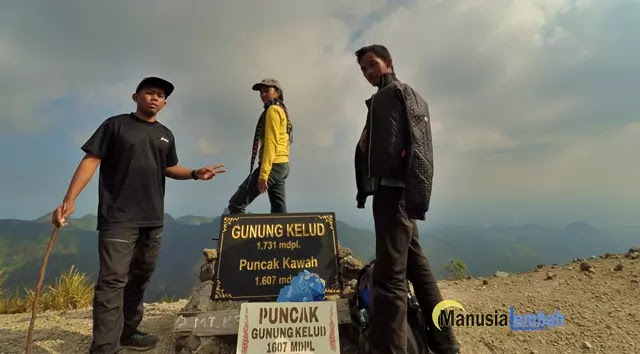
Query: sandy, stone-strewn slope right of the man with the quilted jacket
{"points": [[601, 307]]}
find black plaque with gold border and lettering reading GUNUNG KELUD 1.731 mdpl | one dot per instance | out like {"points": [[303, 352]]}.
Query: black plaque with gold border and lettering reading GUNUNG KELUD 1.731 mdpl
{"points": [[258, 254]]}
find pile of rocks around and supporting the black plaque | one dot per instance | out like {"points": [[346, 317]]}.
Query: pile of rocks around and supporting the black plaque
{"points": [[200, 302]]}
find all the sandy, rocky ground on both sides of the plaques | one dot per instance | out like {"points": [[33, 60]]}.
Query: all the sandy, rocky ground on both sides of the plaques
{"points": [[599, 298]]}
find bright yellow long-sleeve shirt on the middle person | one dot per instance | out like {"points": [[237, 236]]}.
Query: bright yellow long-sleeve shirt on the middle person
{"points": [[274, 147]]}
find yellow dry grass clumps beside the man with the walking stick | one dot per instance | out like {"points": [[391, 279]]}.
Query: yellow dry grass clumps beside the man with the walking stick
{"points": [[72, 290]]}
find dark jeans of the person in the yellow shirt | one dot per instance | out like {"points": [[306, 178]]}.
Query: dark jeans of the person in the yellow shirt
{"points": [[248, 190]]}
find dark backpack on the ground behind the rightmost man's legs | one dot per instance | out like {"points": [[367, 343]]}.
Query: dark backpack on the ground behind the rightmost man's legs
{"points": [[362, 311]]}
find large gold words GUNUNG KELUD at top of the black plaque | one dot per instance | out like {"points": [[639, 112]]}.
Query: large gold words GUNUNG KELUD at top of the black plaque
{"points": [[278, 230]]}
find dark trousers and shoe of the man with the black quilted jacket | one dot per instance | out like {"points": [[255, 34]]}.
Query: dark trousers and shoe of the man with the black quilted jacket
{"points": [[399, 258]]}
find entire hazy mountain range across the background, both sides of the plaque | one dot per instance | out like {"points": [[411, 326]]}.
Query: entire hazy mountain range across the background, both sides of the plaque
{"points": [[484, 249]]}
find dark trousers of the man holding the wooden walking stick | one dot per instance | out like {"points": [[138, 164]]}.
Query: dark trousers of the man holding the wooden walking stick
{"points": [[127, 260]]}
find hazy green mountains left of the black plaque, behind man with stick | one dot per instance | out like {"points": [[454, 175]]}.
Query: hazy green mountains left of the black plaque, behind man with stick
{"points": [[23, 242]]}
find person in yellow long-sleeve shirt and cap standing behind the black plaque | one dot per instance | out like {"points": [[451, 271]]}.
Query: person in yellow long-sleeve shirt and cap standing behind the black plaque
{"points": [[273, 134]]}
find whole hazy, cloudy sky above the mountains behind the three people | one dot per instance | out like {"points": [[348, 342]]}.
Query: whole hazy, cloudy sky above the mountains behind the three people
{"points": [[534, 103]]}
